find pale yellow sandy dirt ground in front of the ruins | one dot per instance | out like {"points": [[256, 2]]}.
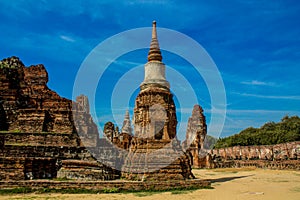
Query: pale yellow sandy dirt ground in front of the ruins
{"points": [[228, 184]]}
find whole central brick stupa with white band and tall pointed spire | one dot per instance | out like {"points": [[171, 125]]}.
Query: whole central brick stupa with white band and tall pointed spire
{"points": [[155, 153]]}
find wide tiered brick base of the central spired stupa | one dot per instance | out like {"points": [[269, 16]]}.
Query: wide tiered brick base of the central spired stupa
{"points": [[153, 160]]}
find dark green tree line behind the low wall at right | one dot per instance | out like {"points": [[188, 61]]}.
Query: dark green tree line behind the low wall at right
{"points": [[288, 130]]}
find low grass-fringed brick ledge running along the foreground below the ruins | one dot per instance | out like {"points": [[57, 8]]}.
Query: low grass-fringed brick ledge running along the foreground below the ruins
{"points": [[106, 185]]}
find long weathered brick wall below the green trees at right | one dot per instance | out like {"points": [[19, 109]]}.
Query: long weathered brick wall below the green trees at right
{"points": [[279, 156]]}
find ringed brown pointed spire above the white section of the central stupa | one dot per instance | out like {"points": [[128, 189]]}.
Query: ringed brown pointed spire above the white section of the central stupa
{"points": [[154, 52]]}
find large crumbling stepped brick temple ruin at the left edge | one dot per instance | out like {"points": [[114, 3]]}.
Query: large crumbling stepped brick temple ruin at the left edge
{"points": [[38, 138]]}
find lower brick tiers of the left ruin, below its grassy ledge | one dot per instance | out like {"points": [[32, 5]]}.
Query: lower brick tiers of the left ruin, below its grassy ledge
{"points": [[25, 156]]}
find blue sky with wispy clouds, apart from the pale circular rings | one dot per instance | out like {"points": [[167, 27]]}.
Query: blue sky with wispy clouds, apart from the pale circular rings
{"points": [[255, 45]]}
